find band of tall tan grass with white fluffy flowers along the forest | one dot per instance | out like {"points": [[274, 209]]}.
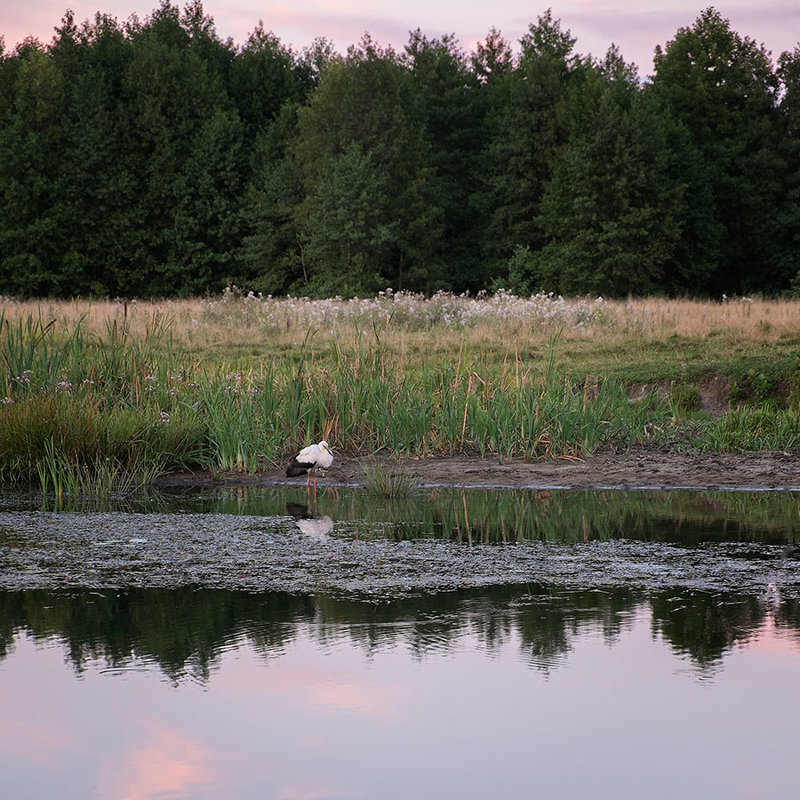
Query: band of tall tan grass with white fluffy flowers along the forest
{"points": [[237, 318]]}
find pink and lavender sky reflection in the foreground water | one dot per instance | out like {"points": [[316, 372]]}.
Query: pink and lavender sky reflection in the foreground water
{"points": [[612, 718]]}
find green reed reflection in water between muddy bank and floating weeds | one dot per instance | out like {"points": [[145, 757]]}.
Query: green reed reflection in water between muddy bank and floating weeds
{"points": [[504, 516]]}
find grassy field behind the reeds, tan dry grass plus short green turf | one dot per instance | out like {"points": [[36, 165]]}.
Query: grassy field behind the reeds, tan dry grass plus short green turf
{"points": [[634, 338]]}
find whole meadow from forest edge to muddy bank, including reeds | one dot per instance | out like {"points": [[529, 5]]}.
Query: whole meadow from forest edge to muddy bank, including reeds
{"points": [[101, 396]]}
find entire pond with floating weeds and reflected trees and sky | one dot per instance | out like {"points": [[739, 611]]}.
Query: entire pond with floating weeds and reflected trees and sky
{"points": [[463, 644]]}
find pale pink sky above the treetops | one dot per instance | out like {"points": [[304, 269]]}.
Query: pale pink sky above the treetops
{"points": [[636, 26]]}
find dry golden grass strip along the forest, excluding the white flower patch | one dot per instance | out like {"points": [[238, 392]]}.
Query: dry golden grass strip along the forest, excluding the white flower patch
{"points": [[238, 318]]}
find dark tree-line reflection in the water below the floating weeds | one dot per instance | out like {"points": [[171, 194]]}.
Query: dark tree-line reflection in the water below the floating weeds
{"points": [[186, 631]]}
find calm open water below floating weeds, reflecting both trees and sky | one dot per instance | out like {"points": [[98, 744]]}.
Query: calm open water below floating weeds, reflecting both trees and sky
{"points": [[208, 694]]}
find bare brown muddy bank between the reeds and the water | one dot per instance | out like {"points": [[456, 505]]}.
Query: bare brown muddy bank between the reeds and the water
{"points": [[636, 468]]}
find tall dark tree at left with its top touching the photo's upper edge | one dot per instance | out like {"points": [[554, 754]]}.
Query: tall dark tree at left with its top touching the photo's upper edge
{"points": [[184, 137]]}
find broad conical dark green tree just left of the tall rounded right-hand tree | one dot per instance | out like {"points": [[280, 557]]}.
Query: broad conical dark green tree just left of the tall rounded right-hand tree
{"points": [[611, 207]]}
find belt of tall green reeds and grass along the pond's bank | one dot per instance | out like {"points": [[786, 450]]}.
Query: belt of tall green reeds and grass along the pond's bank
{"points": [[100, 408]]}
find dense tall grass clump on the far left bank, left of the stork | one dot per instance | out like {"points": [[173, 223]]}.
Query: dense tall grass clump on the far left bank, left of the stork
{"points": [[85, 414]]}
